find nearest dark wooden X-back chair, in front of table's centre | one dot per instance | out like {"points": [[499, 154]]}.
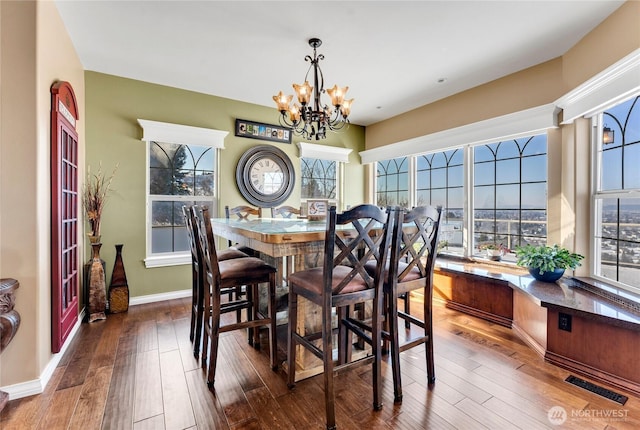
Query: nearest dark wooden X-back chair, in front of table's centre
{"points": [[342, 283]]}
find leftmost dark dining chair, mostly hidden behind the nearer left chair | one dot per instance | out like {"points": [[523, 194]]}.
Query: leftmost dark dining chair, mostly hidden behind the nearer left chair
{"points": [[197, 287]]}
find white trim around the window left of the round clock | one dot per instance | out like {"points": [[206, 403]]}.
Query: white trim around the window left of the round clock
{"points": [[154, 131]]}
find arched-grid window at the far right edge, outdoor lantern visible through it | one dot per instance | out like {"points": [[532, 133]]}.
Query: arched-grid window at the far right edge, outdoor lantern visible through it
{"points": [[616, 198]]}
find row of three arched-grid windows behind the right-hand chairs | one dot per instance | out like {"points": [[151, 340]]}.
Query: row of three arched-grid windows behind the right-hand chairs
{"points": [[507, 191]]}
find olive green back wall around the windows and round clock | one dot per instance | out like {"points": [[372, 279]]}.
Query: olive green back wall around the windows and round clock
{"points": [[113, 106]]}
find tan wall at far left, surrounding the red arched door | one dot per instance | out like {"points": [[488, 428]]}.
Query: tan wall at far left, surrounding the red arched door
{"points": [[36, 51]]}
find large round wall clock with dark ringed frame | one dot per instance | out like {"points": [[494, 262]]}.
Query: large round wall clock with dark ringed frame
{"points": [[265, 176]]}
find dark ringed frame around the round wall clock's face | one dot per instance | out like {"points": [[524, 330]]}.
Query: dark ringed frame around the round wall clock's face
{"points": [[246, 187]]}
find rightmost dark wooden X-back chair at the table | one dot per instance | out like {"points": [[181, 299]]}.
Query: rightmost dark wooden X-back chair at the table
{"points": [[413, 255]]}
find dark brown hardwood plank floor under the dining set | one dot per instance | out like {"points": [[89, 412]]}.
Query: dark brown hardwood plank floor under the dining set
{"points": [[136, 370]]}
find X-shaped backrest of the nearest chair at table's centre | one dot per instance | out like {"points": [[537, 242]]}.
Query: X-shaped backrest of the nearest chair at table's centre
{"points": [[369, 238]]}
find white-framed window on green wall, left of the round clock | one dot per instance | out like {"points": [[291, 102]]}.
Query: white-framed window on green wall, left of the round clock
{"points": [[181, 170]]}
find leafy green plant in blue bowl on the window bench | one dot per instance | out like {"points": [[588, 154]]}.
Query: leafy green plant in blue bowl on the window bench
{"points": [[547, 263]]}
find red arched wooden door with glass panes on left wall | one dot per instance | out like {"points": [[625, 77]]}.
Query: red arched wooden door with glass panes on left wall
{"points": [[65, 272]]}
